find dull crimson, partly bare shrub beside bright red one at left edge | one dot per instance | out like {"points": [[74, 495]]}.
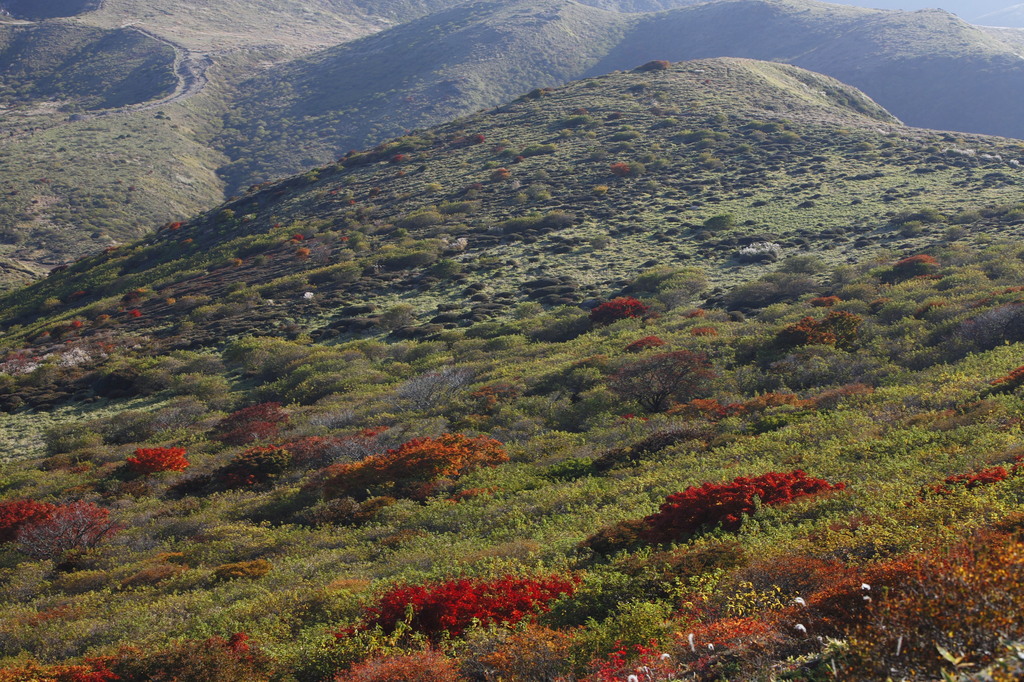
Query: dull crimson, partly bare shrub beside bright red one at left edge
{"points": [[75, 526]]}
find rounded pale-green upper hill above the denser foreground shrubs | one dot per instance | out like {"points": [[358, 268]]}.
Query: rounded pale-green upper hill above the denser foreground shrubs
{"points": [[797, 158]]}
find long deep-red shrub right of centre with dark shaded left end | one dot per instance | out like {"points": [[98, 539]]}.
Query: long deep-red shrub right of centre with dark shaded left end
{"points": [[686, 514]]}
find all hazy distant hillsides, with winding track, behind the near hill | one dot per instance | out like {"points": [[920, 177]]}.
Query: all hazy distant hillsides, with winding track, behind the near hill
{"points": [[927, 68]]}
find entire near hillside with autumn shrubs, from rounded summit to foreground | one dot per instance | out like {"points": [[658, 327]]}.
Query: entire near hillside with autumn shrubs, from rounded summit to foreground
{"points": [[316, 436]]}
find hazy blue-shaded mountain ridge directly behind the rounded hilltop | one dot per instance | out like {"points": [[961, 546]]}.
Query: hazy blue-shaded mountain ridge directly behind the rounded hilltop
{"points": [[930, 69]]}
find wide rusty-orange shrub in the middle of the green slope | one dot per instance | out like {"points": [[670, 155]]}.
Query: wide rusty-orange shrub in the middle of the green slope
{"points": [[410, 470]]}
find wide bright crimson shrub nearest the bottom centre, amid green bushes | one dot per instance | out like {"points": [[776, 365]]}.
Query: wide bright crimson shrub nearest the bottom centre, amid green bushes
{"points": [[454, 606]]}
